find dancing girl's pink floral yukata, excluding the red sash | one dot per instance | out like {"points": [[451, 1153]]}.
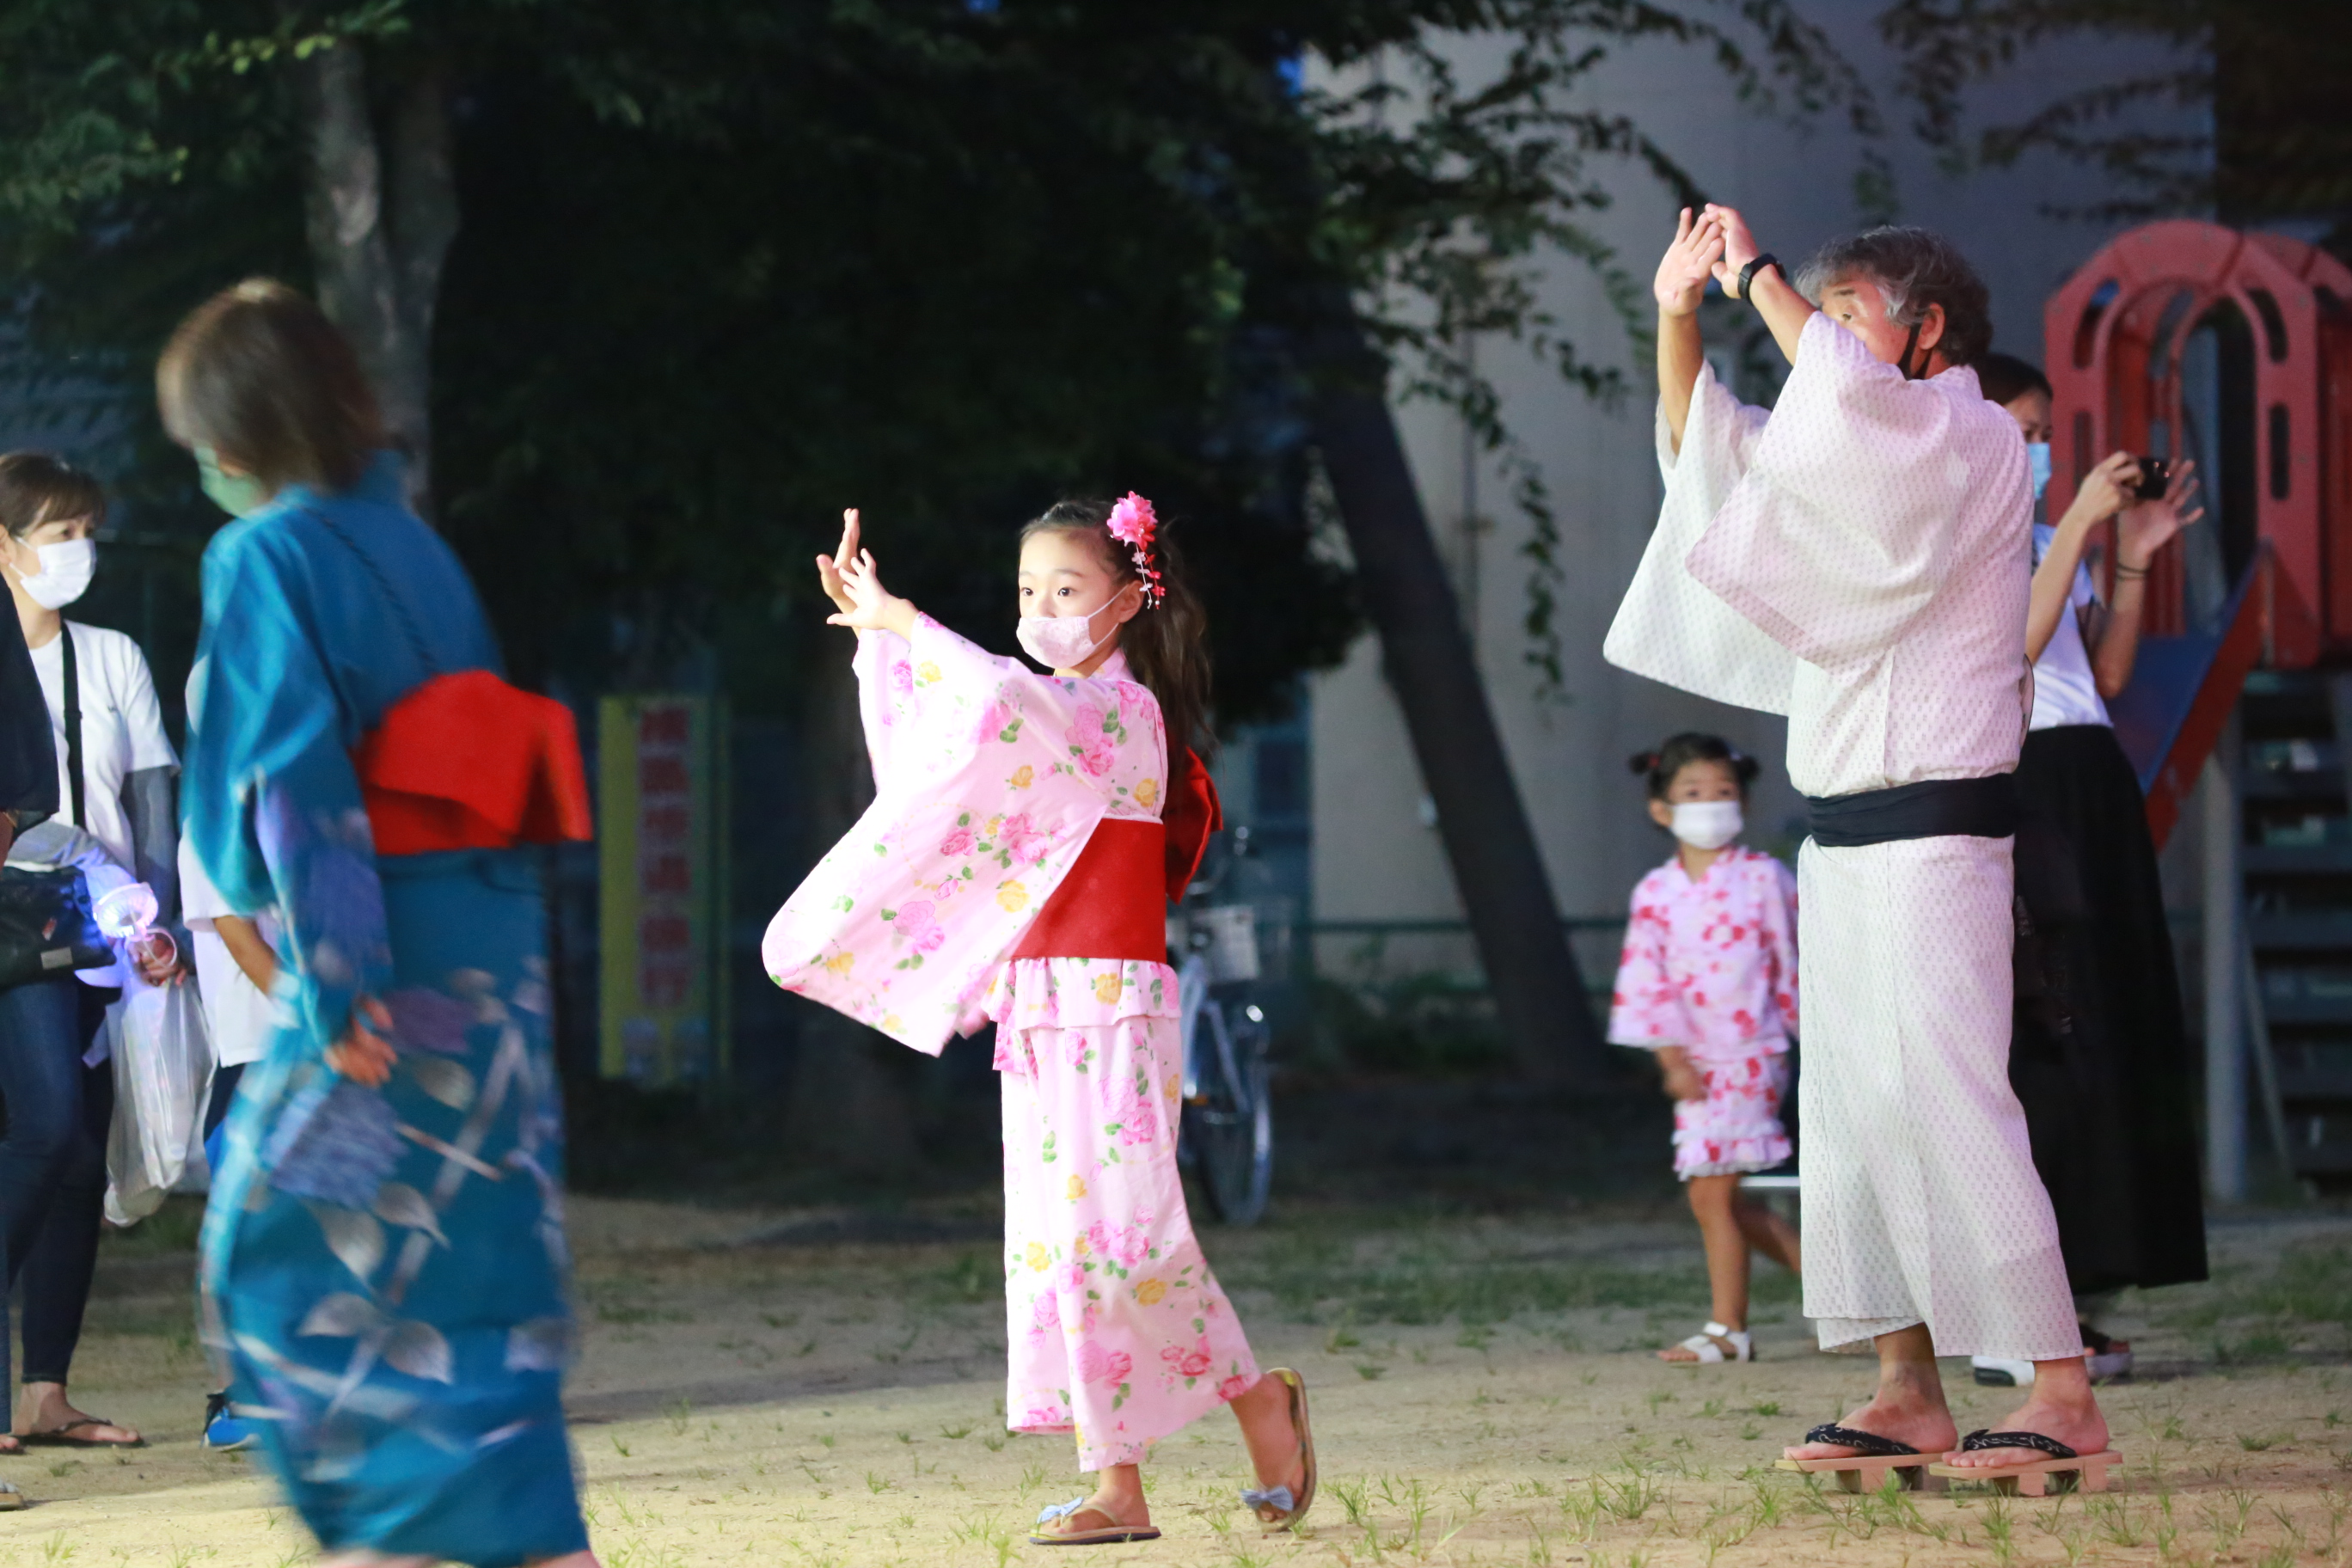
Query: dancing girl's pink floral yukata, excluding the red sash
{"points": [[989, 782]]}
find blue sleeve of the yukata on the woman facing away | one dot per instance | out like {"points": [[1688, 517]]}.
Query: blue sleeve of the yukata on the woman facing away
{"points": [[272, 798]]}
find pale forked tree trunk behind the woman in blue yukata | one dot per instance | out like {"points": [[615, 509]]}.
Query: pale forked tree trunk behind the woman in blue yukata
{"points": [[377, 243]]}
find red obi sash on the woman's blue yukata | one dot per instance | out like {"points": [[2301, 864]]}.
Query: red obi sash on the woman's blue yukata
{"points": [[472, 763]]}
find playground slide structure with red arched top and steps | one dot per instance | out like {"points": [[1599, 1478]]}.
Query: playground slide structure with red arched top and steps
{"points": [[2189, 340]]}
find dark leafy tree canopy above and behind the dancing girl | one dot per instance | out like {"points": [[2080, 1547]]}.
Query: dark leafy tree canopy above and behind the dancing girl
{"points": [[726, 269]]}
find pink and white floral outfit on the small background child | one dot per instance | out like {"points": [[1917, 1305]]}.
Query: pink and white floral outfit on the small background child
{"points": [[1711, 967]]}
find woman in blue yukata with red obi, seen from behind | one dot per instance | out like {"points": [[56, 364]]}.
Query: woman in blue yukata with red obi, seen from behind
{"points": [[385, 1261]]}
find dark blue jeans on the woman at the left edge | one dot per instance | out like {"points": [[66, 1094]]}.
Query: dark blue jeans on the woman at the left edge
{"points": [[53, 1165]]}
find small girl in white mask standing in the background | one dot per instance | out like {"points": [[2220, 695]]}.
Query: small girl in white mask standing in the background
{"points": [[1709, 981]]}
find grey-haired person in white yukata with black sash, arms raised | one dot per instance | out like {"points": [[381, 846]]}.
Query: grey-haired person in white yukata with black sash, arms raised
{"points": [[1857, 561]]}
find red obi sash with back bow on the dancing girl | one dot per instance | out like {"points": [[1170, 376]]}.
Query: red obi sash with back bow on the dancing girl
{"points": [[1114, 904]]}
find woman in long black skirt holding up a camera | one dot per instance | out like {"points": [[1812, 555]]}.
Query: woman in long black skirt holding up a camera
{"points": [[2099, 1057]]}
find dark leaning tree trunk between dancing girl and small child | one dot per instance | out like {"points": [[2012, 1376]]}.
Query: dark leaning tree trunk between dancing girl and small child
{"points": [[1523, 946]]}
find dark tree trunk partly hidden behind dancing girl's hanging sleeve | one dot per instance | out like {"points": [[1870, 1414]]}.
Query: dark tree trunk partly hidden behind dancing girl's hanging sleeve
{"points": [[853, 1101]]}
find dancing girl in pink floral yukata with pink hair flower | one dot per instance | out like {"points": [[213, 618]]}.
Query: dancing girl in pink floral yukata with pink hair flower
{"points": [[1015, 866]]}
